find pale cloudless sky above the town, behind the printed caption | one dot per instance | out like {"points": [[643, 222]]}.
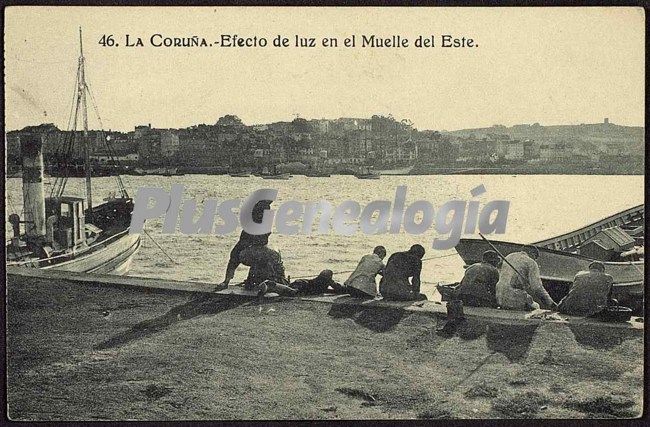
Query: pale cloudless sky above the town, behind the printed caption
{"points": [[545, 65]]}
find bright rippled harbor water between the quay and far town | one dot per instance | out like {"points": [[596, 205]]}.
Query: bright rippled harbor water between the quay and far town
{"points": [[541, 206]]}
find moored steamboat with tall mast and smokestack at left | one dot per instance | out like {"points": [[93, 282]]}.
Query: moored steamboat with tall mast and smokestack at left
{"points": [[67, 232]]}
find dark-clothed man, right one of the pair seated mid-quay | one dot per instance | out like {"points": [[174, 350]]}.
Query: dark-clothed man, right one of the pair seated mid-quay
{"points": [[401, 266]]}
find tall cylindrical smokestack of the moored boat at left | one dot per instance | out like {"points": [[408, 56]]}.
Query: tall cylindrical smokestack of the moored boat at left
{"points": [[31, 151]]}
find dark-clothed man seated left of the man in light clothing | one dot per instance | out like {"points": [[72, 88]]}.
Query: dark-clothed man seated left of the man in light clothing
{"points": [[478, 287]]}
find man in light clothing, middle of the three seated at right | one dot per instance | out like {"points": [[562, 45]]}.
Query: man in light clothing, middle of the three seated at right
{"points": [[521, 288]]}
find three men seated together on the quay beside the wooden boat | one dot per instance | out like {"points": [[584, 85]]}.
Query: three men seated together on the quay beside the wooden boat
{"points": [[514, 283]]}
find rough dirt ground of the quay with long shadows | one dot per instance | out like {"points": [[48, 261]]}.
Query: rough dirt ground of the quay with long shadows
{"points": [[80, 353]]}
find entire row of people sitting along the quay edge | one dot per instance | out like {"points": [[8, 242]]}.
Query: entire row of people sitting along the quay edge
{"points": [[512, 282]]}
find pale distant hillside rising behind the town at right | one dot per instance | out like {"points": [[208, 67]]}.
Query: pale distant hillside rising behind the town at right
{"points": [[608, 136]]}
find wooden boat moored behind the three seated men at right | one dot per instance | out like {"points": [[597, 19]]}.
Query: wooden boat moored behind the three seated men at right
{"points": [[615, 240]]}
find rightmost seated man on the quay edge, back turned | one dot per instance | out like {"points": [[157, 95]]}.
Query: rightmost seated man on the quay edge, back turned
{"points": [[590, 293]]}
